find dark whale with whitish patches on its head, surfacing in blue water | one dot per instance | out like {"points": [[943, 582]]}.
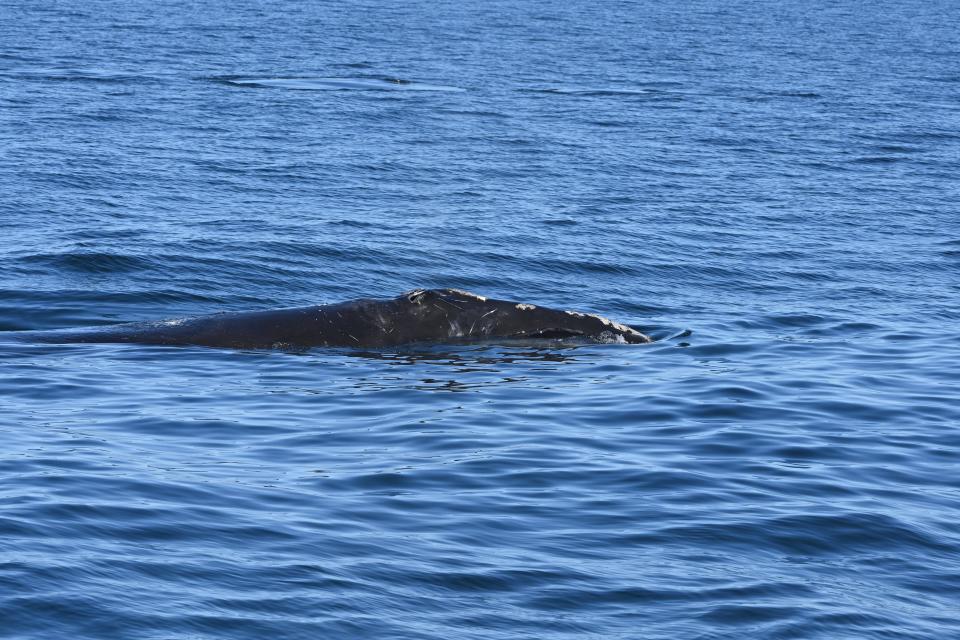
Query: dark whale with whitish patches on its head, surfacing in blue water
{"points": [[418, 316]]}
